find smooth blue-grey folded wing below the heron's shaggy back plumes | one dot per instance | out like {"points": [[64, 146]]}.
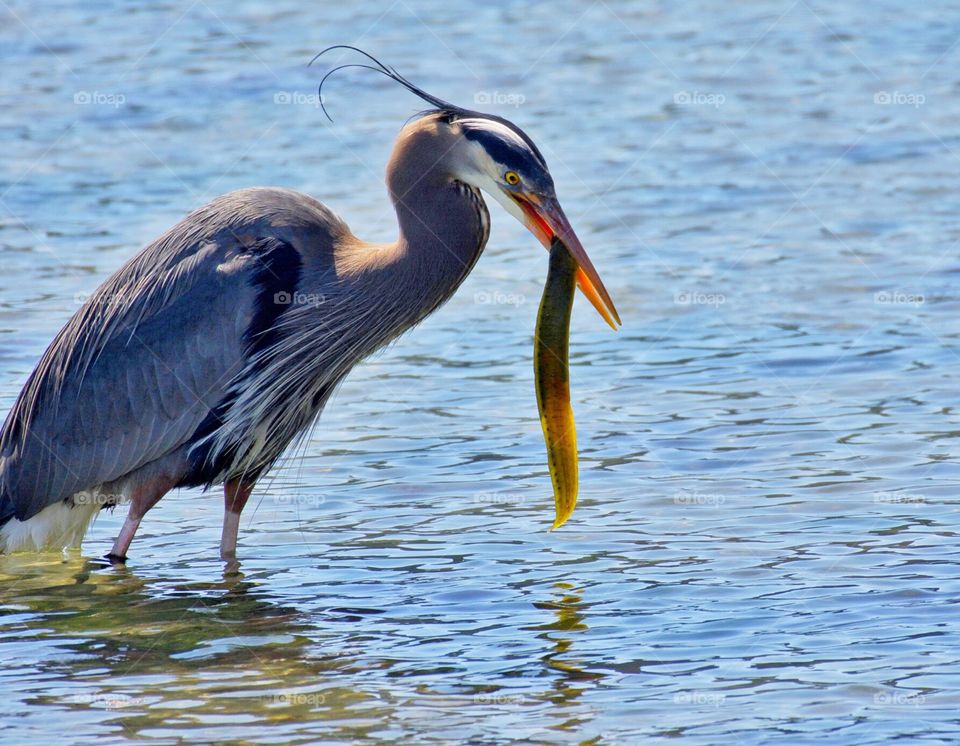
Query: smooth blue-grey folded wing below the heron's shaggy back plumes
{"points": [[137, 390]]}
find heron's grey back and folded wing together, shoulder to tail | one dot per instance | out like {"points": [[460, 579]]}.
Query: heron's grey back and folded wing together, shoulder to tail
{"points": [[151, 352]]}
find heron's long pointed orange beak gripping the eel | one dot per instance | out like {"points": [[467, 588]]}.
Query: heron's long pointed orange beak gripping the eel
{"points": [[546, 220]]}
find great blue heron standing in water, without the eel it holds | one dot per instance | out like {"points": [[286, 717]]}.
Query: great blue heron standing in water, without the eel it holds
{"points": [[202, 358]]}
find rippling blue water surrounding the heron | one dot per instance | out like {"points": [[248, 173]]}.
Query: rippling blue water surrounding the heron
{"points": [[766, 546]]}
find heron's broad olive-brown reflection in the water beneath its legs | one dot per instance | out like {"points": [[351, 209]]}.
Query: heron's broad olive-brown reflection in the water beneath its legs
{"points": [[166, 656]]}
